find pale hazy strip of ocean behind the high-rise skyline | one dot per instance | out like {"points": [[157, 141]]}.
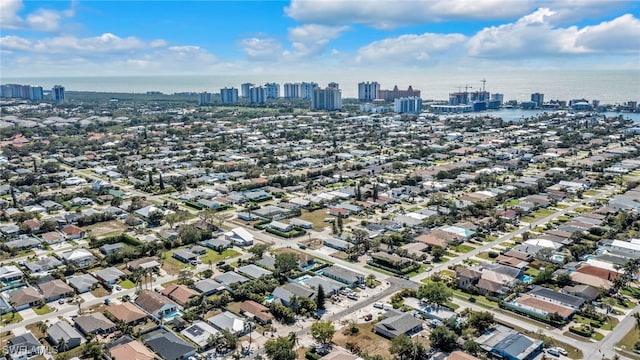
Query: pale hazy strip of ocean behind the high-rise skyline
{"points": [[608, 86]]}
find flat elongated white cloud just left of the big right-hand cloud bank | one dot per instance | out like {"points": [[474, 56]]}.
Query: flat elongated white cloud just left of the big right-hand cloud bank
{"points": [[410, 48]]}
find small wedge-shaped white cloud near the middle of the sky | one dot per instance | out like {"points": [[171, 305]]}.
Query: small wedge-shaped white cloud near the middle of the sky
{"points": [[312, 39]]}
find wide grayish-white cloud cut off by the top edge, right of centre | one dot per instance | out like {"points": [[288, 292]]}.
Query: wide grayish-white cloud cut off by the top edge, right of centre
{"points": [[387, 14]]}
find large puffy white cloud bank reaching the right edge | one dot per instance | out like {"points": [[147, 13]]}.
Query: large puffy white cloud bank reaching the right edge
{"points": [[535, 36]]}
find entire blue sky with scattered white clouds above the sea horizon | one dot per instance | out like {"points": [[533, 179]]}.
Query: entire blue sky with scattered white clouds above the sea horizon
{"points": [[93, 38]]}
